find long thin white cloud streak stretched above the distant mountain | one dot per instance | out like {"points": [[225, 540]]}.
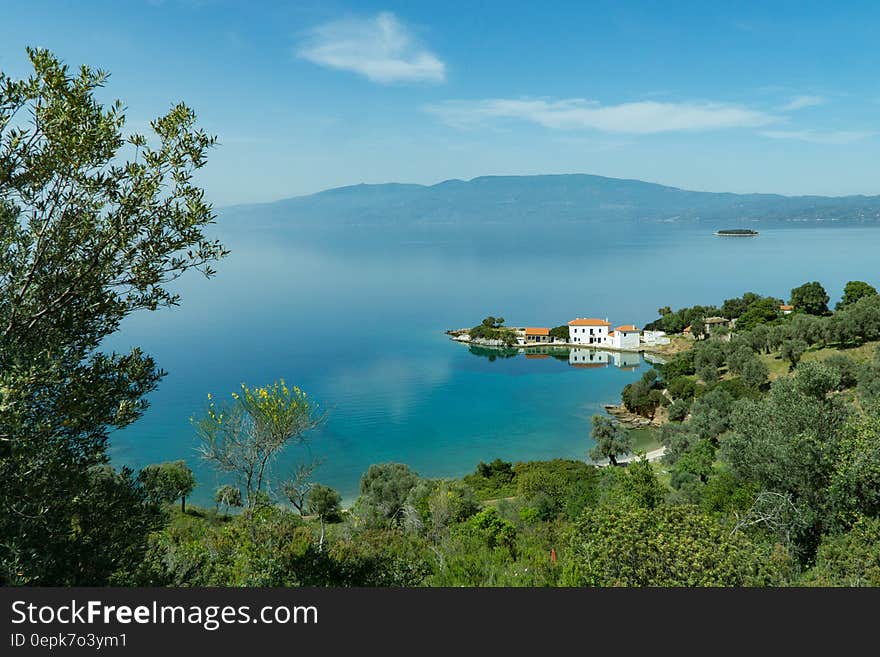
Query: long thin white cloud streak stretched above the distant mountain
{"points": [[642, 117]]}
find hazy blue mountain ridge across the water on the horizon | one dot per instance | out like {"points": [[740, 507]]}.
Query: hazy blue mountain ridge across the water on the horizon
{"points": [[553, 200]]}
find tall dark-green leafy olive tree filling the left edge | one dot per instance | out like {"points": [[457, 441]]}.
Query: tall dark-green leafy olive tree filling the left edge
{"points": [[87, 238]]}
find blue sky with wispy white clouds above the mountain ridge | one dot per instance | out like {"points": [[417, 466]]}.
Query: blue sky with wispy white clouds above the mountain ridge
{"points": [[743, 97]]}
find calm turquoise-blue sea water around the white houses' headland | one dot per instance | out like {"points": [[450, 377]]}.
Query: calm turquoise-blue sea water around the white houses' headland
{"points": [[357, 318]]}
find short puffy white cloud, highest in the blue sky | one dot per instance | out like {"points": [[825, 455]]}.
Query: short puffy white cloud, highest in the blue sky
{"points": [[380, 48]]}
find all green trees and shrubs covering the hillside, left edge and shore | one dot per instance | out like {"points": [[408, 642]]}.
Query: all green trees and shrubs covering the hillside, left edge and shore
{"points": [[770, 475]]}
